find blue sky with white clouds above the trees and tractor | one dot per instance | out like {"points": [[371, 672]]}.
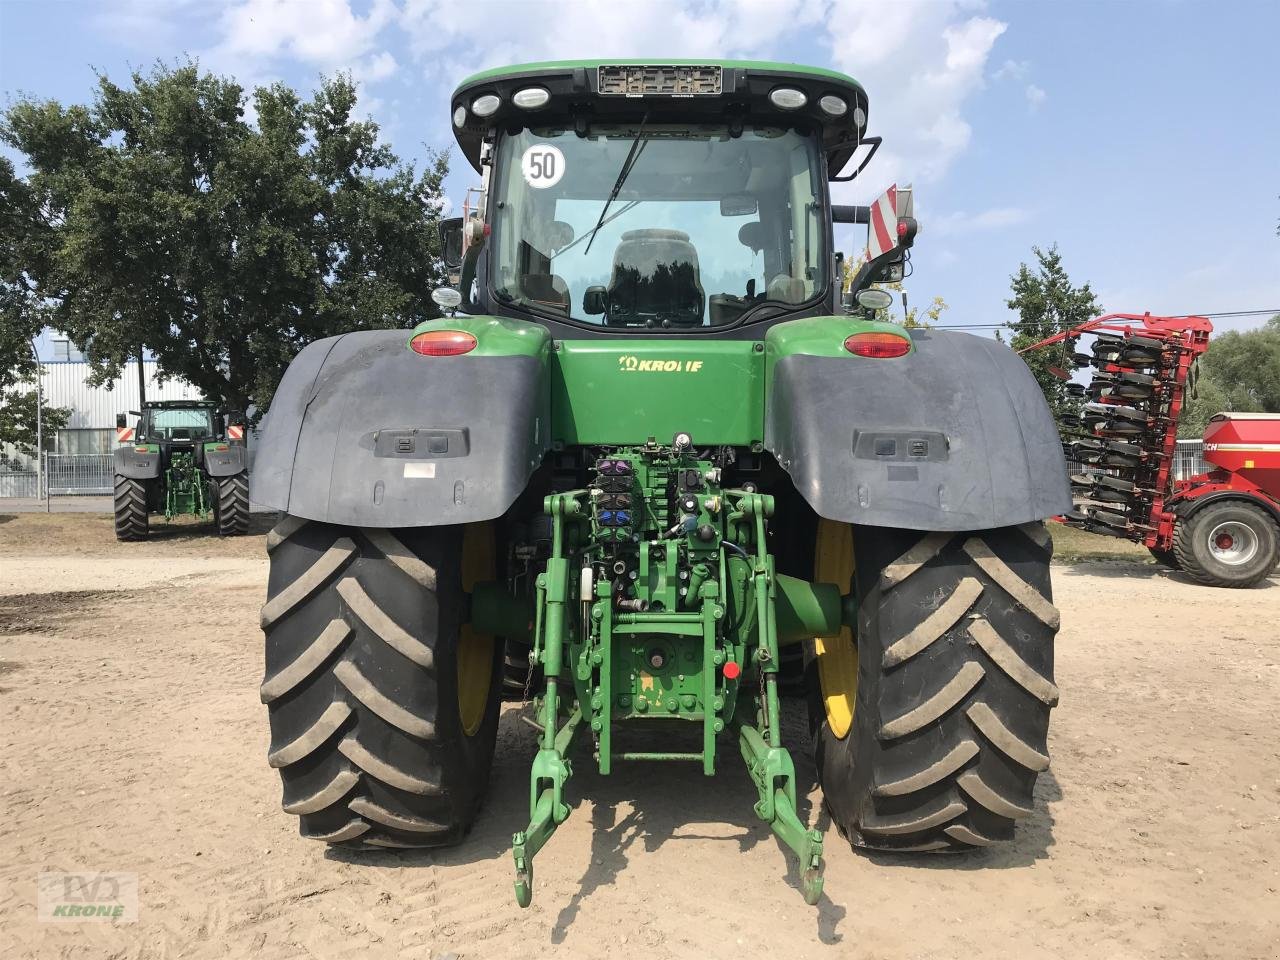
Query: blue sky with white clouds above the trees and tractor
{"points": [[1142, 136]]}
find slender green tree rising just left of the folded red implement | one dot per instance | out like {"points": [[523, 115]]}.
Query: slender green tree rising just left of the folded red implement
{"points": [[1048, 303]]}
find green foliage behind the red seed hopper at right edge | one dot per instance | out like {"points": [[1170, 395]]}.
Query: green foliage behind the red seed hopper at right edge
{"points": [[1238, 373]]}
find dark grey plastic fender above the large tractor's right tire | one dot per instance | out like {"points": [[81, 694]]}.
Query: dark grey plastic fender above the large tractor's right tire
{"points": [[956, 436]]}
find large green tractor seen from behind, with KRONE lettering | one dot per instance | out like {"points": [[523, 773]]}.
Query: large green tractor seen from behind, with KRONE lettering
{"points": [[651, 472]]}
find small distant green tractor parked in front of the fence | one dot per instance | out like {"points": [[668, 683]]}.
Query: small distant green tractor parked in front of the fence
{"points": [[182, 459]]}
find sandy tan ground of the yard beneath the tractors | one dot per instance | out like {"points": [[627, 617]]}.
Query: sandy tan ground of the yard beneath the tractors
{"points": [[132, 739]]}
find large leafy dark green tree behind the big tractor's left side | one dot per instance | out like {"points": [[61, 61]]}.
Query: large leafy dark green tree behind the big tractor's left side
{"points": [[223, 248]]}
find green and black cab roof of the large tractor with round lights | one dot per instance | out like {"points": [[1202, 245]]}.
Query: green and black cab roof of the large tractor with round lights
{"points": [[586, 92]]}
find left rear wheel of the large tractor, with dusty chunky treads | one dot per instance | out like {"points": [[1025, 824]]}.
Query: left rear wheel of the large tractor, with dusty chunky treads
{"points": [[383, 703]]}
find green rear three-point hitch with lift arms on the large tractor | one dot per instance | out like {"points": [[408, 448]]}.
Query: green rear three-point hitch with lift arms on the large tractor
{"points": [[657, 627]]}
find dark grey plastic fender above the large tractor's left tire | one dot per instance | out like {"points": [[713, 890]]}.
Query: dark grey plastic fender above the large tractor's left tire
{"points": [[363, 432]]}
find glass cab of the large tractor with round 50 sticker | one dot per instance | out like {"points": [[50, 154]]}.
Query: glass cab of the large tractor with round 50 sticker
{"points": [[680, 199]]}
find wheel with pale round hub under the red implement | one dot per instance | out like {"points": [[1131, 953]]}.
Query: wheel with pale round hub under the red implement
{"points": [[1228, 543]]}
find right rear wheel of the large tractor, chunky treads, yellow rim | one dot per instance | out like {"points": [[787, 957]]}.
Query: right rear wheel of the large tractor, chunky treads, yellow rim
{"points": [[930, 729]]}
